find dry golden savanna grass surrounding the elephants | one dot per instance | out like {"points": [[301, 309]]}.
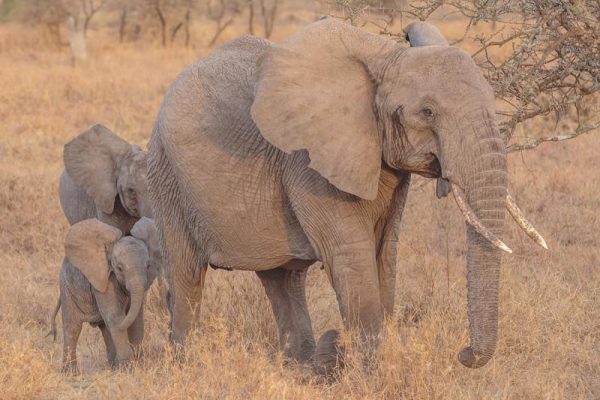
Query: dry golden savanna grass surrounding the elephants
{"points": [[549, 341]]}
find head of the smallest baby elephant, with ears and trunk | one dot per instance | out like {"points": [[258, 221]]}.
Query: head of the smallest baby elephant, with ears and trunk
{"points": [[98, 249]]}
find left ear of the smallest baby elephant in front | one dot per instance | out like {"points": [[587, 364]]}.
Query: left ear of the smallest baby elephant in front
{"points": [[86, 247]]}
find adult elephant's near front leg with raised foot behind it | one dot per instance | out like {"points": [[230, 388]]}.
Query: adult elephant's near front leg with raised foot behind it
{"points": [[353, 274]]}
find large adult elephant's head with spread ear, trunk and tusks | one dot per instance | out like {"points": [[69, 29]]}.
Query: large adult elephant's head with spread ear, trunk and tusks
{"points": [[354, 100]]}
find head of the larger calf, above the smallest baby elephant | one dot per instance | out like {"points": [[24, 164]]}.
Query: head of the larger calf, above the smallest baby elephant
{"points": [[105, 166]]}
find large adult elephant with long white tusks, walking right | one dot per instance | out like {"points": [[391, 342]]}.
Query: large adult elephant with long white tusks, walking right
{"points": [[268, 157]]}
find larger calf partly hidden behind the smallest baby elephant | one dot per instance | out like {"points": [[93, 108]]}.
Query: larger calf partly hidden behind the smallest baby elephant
{"points": [[104, 178]]}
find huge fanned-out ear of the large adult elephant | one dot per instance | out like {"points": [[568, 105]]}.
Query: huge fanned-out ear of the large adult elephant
{"points": [[316, 92]]}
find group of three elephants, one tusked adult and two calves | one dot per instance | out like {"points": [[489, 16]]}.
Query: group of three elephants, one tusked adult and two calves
{"points": [[269, 157]]}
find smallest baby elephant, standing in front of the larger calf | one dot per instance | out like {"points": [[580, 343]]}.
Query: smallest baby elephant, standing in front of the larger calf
{"points": [[103, 281]]}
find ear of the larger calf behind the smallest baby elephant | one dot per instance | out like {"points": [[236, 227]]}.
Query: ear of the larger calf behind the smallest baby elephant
{"points": [[91, 160]]}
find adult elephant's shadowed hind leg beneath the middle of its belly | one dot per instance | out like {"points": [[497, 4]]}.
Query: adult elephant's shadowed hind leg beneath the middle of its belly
{"points": [[286, 292]]}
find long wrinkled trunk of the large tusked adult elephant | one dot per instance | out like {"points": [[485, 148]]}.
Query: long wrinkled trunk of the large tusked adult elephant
{"points": [[484, 207]]}
